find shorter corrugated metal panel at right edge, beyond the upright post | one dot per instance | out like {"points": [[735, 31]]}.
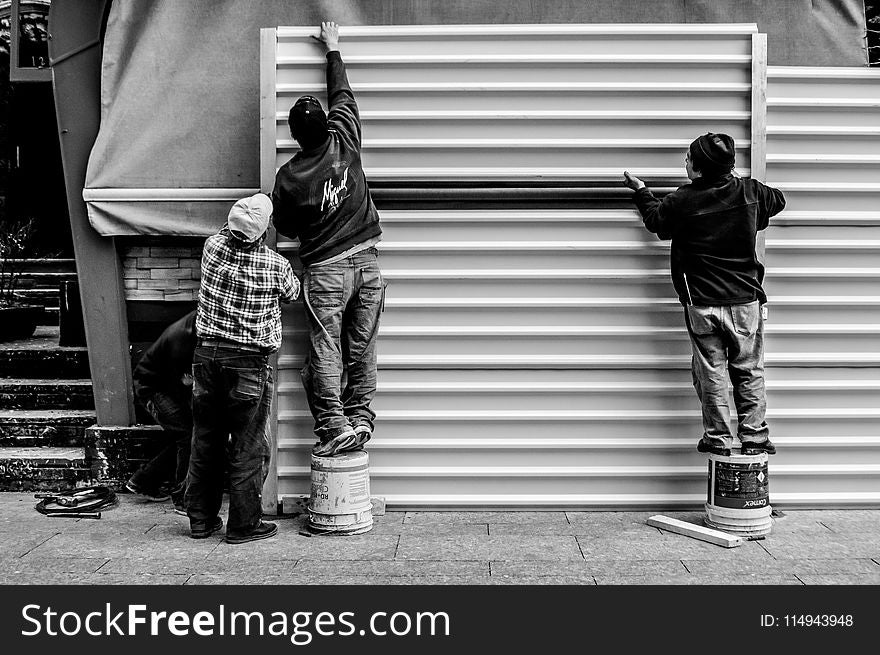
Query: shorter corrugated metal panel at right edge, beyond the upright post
{"points": [[823, 281]]}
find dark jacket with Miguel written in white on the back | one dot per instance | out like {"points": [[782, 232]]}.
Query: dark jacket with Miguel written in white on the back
{"points": [[321, 195]]}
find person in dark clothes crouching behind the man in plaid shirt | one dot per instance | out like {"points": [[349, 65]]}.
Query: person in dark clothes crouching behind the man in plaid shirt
{"points": [[163, 384]]}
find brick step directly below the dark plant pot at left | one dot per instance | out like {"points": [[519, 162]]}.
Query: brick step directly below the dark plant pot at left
{"points": [[41, 357]]}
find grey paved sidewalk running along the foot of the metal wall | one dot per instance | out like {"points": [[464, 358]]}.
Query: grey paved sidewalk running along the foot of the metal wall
{"points": [[147, 543]]}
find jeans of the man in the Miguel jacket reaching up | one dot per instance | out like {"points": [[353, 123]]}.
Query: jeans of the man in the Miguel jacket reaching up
{"points": [[343, 303]]}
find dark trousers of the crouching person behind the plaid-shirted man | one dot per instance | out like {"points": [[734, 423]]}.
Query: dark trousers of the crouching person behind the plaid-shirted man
{"points": [[172, 462]]}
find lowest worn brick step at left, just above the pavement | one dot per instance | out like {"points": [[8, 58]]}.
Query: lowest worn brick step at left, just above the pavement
{"points": [[42, 469]]}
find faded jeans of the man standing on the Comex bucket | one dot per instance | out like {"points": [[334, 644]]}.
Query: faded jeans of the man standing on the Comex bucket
{"points": [[729, 339]]}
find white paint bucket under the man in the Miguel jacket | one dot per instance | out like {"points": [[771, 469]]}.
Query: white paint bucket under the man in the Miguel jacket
{"points": [[340, 498]]}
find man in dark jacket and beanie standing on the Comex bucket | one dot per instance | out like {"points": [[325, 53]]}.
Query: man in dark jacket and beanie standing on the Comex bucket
{"points": [[713, 223]]}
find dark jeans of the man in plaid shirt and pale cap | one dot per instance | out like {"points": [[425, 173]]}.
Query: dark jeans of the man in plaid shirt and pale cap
{"points": [[232, 403]]}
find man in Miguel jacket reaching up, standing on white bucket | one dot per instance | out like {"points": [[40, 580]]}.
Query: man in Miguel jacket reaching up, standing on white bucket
{"points": [[322, 198]]}
